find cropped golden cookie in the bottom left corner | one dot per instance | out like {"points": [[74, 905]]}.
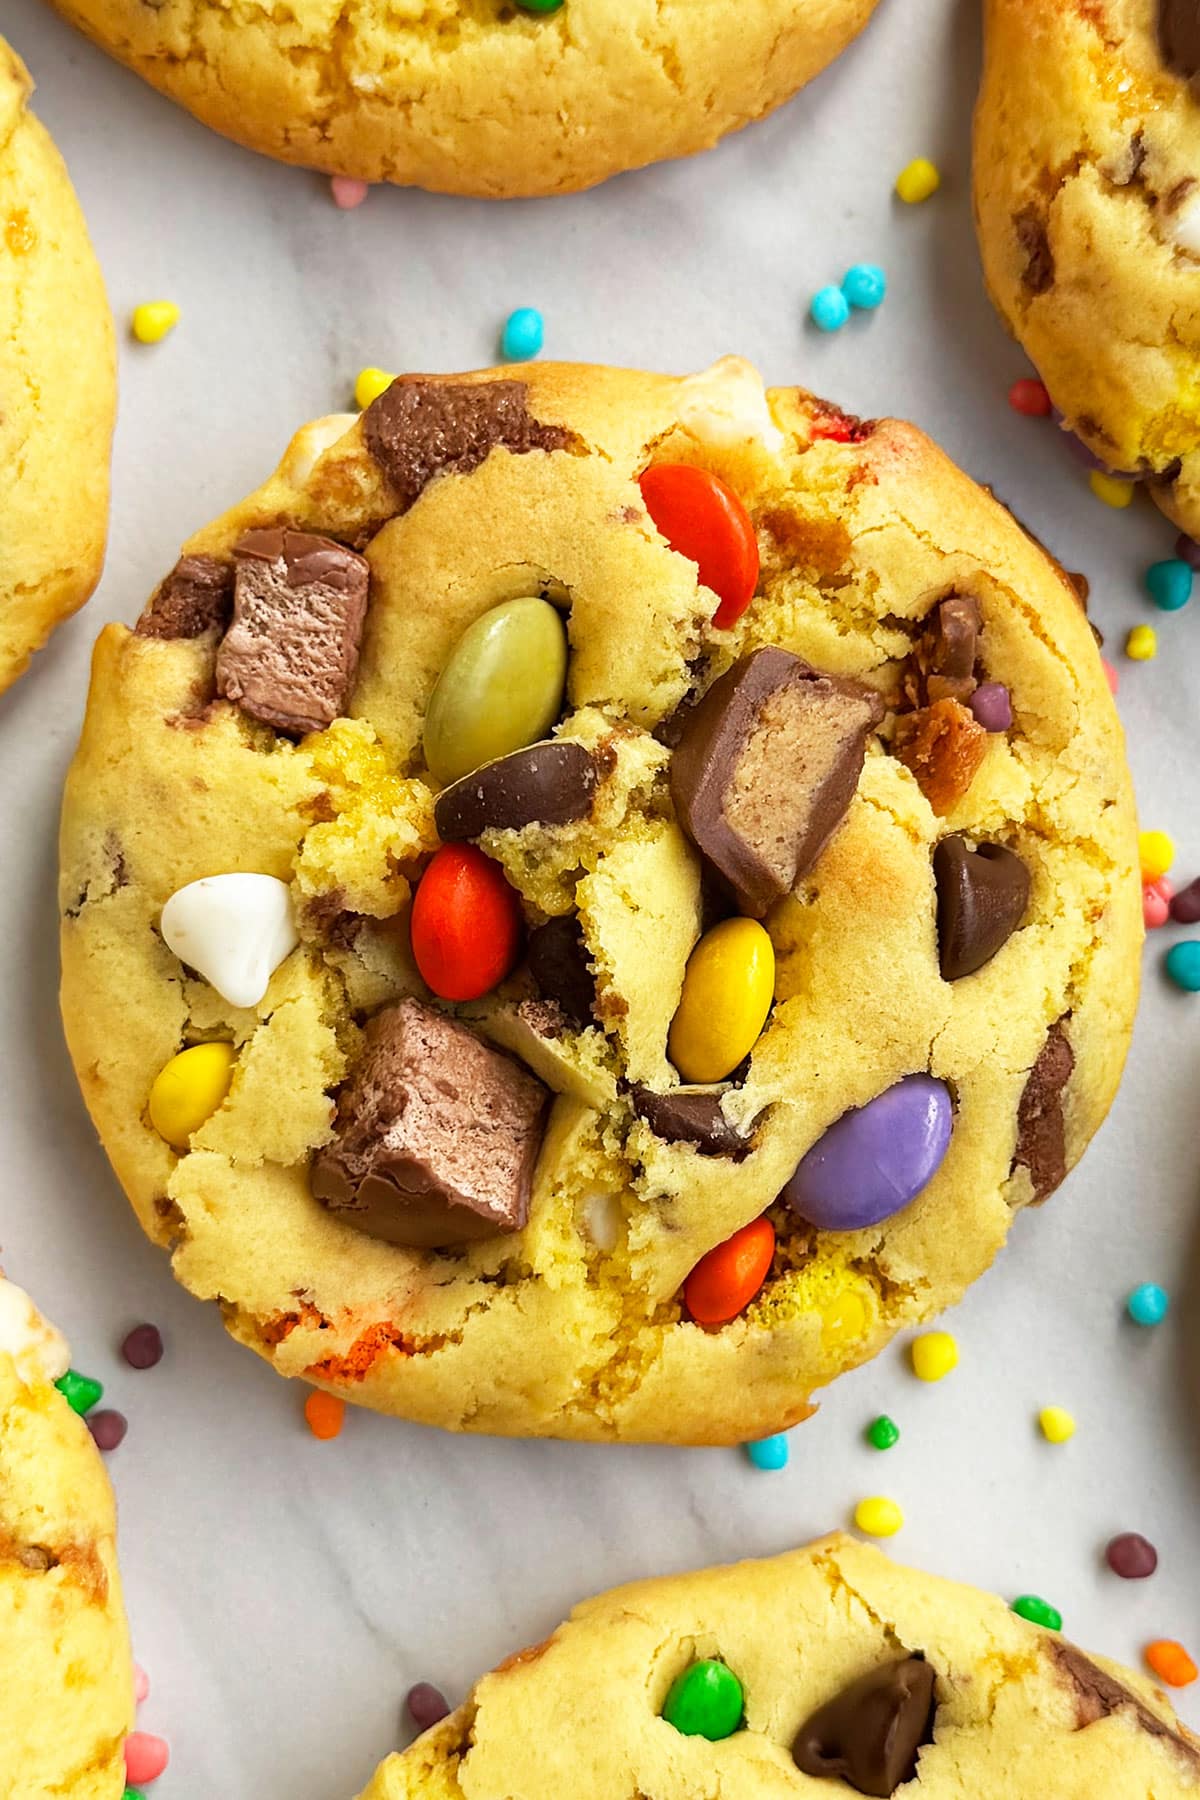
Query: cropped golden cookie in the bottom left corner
{"points": [[66, 1671]]}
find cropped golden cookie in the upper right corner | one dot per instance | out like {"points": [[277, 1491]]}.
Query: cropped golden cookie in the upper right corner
{"points": [[1086, 163]]}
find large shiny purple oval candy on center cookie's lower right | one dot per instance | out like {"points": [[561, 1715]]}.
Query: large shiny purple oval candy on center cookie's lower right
{"points": [[875, 1158]]}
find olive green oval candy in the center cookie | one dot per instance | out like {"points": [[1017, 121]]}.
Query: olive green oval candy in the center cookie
{"points": [[501, 690]]}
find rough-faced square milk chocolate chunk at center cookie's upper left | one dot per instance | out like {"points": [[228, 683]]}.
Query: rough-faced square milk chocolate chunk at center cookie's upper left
{"points": [[292, 651]]}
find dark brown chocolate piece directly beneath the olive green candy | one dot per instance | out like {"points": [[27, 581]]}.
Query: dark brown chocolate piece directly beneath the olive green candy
{"points": [[550, 784]]}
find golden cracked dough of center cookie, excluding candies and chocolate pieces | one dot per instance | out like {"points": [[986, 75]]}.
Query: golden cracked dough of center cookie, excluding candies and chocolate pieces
{"points": [[575, 1327]]}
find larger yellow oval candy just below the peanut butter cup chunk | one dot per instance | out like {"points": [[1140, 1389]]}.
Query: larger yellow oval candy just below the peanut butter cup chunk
{"points": [[728, 991]]}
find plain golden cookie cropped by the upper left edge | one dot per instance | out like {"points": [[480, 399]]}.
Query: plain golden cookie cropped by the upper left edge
{"points": [[58, 386]]}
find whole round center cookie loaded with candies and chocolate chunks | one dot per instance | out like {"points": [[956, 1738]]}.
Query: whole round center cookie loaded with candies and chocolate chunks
{"points": [[593, 899]]}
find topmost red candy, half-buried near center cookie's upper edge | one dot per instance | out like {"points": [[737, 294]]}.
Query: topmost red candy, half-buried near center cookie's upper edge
{"points": [[703, 519]]}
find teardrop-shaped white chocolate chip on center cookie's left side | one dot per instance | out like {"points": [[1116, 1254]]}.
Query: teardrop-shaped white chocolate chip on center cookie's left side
{"points": [[235, 930]]}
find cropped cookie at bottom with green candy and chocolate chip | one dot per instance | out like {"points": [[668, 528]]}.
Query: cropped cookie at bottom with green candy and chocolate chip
{"points": [[828, 1671]]}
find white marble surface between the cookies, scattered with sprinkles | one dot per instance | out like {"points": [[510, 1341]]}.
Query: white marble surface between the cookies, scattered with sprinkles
{"points": [[285, 1592]]}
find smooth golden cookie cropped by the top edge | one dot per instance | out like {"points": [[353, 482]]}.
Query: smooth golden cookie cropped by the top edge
{"points": [[476, 96]]}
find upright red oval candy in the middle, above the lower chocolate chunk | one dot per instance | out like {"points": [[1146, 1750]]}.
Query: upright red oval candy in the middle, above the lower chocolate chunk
{"points": [[465, 926]]}
